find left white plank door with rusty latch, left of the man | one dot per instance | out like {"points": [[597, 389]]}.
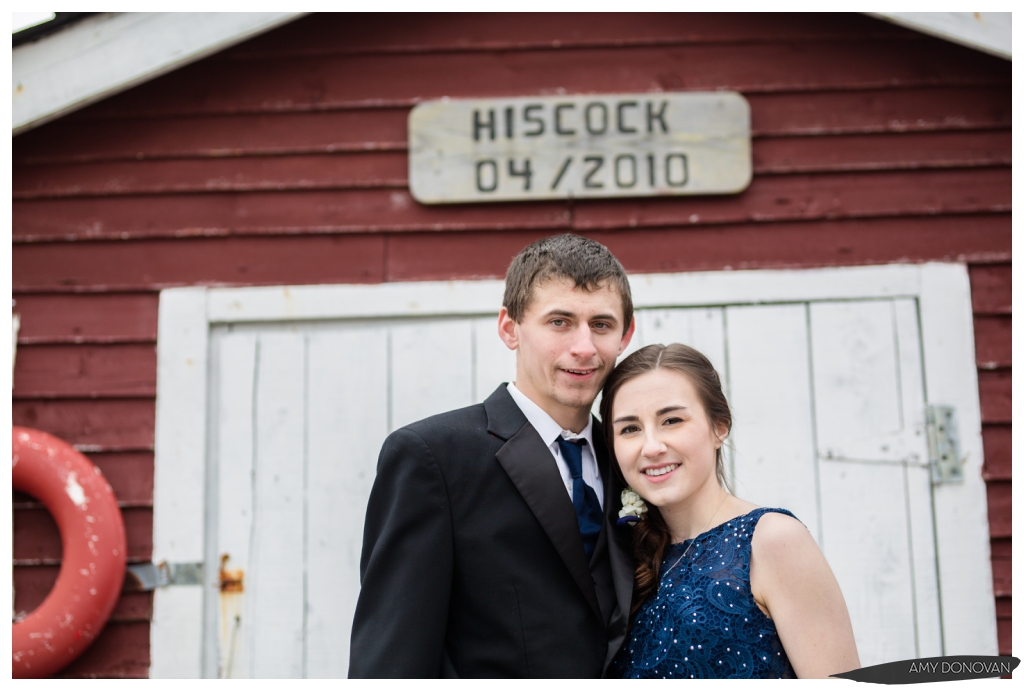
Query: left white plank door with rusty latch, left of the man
{"points": [[301, 416]]}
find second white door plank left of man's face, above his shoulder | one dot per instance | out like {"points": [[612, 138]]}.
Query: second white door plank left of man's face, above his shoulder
{"points": [[432, 369]]}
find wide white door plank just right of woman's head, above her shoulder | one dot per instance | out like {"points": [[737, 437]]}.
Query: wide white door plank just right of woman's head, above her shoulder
{"points": [[773, 435]]}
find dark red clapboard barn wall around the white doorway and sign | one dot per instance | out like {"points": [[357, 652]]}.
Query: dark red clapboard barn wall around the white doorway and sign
{"points": [[284, 161]]}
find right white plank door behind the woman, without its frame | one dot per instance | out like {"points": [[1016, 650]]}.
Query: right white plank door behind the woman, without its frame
{"points": [[829, 415]]}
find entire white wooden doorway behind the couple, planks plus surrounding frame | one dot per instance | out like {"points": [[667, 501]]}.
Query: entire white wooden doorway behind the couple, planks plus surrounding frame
{"points": [[828, 384]]}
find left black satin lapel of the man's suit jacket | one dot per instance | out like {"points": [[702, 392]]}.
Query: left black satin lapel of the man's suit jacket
{"points": [[530, 465]]}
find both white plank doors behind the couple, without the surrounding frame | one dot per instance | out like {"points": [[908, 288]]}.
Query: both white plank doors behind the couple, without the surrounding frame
{"points": [[830, 423]]}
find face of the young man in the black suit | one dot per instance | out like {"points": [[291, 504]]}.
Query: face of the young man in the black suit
{"points": [[567, 345]]}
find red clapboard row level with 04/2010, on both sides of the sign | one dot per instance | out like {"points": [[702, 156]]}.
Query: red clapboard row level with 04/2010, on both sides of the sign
{"points": [[383, 169]]}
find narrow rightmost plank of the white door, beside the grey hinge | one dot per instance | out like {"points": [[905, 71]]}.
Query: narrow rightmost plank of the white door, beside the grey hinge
{"points": [[919, 482]]}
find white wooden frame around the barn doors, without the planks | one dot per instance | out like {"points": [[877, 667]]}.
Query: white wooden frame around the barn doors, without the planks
{"points": [[187, 316]]}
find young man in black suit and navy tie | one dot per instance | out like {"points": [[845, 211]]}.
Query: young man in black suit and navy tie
{"points": [[491, 547]]}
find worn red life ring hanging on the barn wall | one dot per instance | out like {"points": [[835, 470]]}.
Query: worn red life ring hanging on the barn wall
{"points": [[93, 569]]}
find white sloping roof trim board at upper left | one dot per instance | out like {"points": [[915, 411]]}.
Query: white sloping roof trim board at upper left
{"points": [[107, 54]]}
